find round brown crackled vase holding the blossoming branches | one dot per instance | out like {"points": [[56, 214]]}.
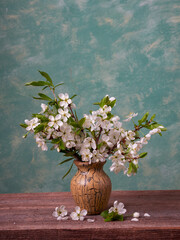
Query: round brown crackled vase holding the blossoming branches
{"points": [[91, 187]]}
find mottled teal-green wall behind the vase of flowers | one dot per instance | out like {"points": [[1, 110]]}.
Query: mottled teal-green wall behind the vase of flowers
{"points": [[127, 49]]}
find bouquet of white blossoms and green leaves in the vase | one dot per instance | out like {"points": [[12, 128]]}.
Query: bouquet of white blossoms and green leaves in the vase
{"points": [[94, 138]]}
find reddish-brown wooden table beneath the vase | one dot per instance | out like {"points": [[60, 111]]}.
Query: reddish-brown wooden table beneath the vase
{"points": [[29, 216]]}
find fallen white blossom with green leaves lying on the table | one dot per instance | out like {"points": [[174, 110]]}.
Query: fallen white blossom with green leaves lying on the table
{"points": [[115, 213]]}
